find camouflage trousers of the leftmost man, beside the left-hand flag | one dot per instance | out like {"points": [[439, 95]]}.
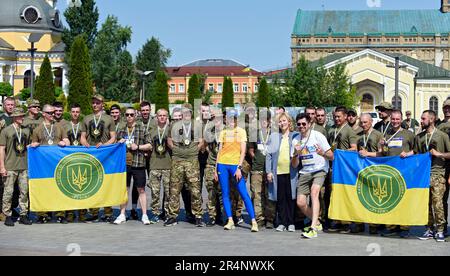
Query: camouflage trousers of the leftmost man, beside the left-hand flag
{"points": [[22, 177]]}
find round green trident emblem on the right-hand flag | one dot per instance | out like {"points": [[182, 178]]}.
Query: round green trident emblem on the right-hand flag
{"points": [[380, 188]]}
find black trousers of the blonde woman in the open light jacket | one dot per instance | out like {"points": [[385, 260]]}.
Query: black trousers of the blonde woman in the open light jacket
{"points": [[285, 203]]}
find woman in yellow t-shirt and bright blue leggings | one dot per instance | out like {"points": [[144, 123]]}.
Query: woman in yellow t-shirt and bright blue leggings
{"points": [[232, 149]]}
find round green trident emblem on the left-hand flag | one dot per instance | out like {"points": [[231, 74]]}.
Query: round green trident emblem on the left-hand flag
{"points": [[79, 176]]}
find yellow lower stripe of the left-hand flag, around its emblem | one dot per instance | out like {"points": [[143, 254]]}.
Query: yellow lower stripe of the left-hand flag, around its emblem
{"points": [[45, 195]]}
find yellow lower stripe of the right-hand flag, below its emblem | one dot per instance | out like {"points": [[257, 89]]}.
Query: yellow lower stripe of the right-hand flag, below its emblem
{"points": [[412, 209]]}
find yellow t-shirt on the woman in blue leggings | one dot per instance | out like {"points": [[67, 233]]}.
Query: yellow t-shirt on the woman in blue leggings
{"points": [[231, 140]]}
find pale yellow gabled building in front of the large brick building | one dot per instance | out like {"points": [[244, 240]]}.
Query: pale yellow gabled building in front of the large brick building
{"points": [[422, 86]]}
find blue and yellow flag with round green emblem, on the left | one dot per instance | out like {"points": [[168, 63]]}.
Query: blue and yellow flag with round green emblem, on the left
{"points": [[74, 178]]}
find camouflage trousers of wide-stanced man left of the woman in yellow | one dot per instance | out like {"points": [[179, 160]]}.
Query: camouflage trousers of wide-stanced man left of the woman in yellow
{"points": [[185, 171]]}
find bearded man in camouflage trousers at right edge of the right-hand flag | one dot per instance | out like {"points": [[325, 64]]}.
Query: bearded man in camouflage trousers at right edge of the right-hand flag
{"points": [[438, 144]]}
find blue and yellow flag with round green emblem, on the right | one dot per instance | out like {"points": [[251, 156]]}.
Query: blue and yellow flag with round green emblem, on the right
{"points": [[388, 190]]}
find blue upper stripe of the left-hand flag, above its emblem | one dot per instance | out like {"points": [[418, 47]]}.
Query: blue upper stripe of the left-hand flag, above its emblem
{"points": [[43, 160]]}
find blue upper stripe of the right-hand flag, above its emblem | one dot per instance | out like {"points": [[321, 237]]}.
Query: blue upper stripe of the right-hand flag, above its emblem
{"points": [[415, 169]]}
